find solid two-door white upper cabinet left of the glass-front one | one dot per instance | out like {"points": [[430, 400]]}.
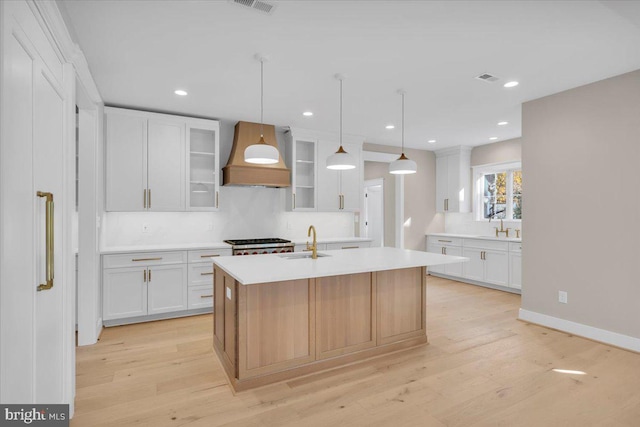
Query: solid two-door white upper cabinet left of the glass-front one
{"points": [[145, 161]]}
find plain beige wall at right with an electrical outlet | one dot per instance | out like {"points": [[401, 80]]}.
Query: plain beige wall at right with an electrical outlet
{"points": [[581, 151]]}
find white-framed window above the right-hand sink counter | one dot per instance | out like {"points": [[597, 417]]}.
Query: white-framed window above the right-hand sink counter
{"points": [[498, 191]]}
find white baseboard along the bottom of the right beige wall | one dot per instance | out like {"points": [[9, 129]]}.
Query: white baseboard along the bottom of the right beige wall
{"points": [[613, 338]]}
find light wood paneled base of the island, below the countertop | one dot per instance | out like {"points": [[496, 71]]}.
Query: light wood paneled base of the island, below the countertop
{"points": [[270, 332]]}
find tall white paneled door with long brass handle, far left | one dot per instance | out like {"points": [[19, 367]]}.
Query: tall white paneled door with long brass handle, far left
{"points": [[36, 341]]}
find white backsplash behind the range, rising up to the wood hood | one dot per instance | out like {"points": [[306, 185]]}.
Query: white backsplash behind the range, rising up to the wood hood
{"points": [[245, 212]]}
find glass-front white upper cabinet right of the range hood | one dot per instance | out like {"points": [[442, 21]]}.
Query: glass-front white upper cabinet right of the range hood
{"points": [[301, 158]]}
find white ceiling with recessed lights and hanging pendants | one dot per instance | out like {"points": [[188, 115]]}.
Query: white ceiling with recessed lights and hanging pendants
{"points": [[139, 52]]}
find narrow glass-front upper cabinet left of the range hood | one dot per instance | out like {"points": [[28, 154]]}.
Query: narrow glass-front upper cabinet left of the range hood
{"points": [[203, 165]]}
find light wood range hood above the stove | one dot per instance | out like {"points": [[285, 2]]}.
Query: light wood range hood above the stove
{"points": [[239, 172]]}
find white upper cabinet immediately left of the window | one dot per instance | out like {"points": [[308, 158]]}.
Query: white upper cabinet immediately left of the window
{"points": [[453, 180]]}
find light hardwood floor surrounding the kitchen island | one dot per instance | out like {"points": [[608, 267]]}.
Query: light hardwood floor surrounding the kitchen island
{"points": [[482, 367]]}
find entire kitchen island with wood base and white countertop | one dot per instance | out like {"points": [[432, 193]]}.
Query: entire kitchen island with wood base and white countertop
{"points": [[281, 316]]}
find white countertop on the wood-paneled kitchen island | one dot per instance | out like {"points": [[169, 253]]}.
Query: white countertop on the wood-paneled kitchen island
{"points": [[252, 269]]}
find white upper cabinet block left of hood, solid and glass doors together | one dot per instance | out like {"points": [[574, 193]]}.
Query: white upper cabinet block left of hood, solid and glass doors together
{"points": [[160, 162]]}
